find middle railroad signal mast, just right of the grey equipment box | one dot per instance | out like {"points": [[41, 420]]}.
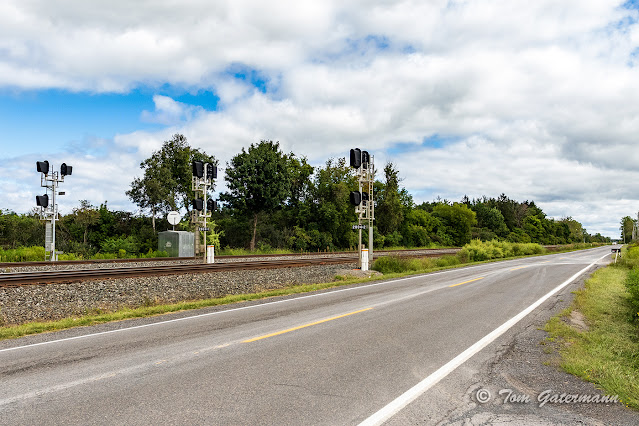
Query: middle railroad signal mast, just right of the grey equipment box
{"points": [[202, 180]]}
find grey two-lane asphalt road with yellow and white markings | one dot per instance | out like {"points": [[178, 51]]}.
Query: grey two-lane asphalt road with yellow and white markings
{"points": [[370, 353]]}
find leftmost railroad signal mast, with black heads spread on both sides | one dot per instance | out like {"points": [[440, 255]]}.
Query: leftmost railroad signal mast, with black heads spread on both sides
{"points": [[48, 205]]}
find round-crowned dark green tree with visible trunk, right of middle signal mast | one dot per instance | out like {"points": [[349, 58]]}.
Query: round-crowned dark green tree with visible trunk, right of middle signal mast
{"points": [[258, 180]]}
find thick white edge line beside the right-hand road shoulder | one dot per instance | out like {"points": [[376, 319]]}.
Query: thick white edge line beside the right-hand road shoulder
{"points": [[413, 393]]}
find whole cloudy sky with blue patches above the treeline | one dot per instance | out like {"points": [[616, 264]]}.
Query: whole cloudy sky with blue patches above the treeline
{"points": [[535, 99]]}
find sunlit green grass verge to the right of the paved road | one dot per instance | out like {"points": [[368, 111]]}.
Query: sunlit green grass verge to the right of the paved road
{"points": [[607, 354]]}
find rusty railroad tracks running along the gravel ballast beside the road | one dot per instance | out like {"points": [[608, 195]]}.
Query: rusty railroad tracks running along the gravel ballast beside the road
{"points": [[17, 279]]}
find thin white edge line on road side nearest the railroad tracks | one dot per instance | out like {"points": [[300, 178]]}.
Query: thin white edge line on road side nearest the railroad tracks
{"points": [[236, 309]]}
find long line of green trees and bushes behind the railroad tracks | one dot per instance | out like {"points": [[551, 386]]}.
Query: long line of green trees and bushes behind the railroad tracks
{"points": [[276, 200]]}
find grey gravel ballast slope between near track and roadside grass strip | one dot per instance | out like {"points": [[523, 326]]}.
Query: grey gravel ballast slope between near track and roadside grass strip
{"points": [[24, 304]]}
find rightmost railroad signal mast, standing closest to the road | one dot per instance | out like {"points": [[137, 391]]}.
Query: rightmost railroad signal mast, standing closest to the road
{"points": [[363, 201]]}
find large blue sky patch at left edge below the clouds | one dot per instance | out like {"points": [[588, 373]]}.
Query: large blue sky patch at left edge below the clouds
{"points": [[45, 120]]}
